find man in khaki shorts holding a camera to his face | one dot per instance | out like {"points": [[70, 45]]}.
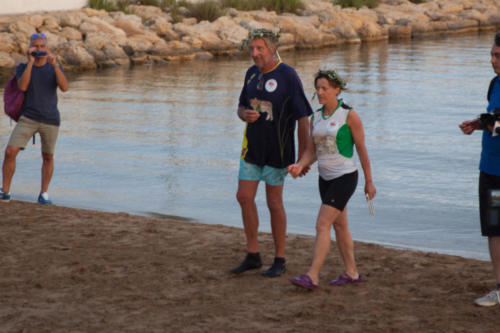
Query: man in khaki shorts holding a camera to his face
{"points": [[39, 79]]}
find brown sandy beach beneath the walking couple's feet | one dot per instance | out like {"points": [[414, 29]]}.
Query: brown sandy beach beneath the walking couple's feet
{"points": [[72, 270]]}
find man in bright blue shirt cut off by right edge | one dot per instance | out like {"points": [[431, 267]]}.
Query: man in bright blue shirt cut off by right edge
{"points": [[489, 176]]}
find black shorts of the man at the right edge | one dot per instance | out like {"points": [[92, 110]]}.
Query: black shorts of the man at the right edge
{"points": [[490, 224]]}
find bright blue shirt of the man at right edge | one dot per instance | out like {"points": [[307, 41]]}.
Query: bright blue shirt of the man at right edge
{"points": [[490, 154]]}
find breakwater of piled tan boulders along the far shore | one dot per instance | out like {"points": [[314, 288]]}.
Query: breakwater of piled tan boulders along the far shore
{"points": [[88, 38]]}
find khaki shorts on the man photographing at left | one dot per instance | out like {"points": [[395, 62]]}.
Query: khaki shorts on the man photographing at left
{"points": [[26, 128]]}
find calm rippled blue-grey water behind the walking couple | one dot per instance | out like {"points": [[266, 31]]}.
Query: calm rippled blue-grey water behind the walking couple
{"points": [[166, 140]]}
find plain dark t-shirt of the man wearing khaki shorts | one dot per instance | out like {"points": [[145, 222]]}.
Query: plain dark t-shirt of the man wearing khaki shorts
{"points": [[40, 99]]}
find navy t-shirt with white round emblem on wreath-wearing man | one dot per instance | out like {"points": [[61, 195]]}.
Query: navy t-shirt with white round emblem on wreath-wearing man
{"points": [[279, 97]]}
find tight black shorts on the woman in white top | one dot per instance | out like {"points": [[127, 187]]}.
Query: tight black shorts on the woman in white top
{"points": [[338, 191]]}
